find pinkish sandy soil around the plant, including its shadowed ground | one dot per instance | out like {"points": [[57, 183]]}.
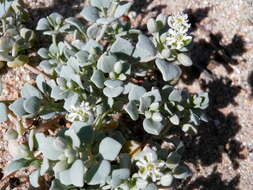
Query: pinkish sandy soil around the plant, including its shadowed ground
{"points": [[221, 155]]}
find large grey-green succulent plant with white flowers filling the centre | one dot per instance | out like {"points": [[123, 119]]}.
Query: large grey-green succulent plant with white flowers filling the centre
{"points": [[107, 72]]}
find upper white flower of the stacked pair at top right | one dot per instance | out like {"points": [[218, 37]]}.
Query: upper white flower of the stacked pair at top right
{"points": [[179, 22]]}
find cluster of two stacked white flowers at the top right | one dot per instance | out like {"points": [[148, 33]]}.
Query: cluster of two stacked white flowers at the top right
{"points": [[177, 36]]}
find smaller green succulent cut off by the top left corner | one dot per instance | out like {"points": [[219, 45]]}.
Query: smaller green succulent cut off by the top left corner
{"points": [[15, 38]]}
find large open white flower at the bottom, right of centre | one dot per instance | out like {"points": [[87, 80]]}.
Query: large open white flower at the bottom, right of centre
{"points": [[149, 165]]}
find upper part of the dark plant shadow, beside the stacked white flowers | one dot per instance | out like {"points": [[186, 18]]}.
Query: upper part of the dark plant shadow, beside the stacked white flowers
{"points": [[207, 54]]}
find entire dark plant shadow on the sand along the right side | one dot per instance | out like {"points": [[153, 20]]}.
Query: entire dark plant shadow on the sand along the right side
{"points": [[217, 138]]}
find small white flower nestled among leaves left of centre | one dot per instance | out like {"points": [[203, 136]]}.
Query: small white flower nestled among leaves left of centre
{"points": [[81, 113]]}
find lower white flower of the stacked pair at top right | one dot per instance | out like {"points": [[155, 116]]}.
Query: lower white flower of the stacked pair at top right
{"points": [[177, 40]]}
